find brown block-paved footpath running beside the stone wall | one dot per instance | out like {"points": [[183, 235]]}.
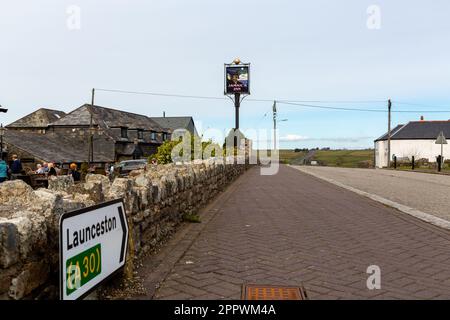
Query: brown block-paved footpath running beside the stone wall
{"points": [[293, 229]]}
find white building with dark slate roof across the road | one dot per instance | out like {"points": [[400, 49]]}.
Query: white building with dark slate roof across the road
{"points": [[417, 138]]}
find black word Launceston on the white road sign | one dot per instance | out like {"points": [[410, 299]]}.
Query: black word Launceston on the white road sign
{"points": [[91, 232]]}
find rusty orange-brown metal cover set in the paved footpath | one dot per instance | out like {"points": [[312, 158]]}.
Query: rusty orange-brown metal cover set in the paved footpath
{"points": [[262, 292]]}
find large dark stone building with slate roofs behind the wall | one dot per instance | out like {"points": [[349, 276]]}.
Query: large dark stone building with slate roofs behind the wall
{"points": [[49, 135]]}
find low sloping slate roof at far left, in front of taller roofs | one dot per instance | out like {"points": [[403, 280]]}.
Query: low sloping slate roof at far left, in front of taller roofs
{"points": [[59, 148]]}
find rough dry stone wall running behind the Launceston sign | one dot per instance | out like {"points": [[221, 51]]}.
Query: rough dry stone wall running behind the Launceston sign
{"points": [[155, 200]]}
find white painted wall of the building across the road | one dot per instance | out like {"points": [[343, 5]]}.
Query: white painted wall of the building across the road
{"points": [[420, 149]]}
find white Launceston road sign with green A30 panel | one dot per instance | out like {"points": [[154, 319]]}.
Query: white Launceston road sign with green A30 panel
{"points": [[93, 246]]}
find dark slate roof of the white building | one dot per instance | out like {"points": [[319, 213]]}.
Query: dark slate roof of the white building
{"points": [[415, 130]]}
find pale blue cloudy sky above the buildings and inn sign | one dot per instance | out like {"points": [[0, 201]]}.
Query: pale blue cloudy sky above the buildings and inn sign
{"points": [[53, 52]]}
